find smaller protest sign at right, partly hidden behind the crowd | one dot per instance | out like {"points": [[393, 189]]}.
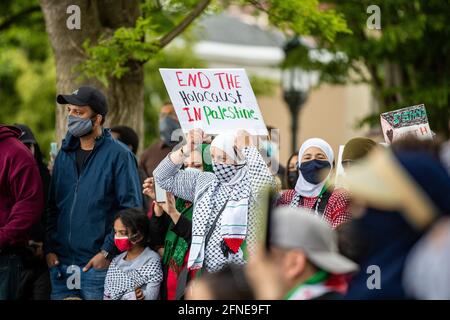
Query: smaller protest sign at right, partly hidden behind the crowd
{"points": [[407, 121]]}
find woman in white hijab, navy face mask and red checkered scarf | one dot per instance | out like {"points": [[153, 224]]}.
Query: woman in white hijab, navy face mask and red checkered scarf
{"points": [[316, 159]]}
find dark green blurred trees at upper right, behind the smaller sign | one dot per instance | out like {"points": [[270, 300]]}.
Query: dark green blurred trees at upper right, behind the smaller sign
{"points": [[406, 62]]}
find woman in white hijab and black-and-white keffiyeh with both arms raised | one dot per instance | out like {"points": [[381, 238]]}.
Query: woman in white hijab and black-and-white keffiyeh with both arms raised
{"points": [[225, 207]]}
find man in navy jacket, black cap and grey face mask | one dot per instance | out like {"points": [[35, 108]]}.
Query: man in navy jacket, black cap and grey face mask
{"points": [[94, 177]]}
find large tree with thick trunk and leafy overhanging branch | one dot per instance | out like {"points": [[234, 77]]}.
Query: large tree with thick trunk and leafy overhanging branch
{"points": [[120, 36]]}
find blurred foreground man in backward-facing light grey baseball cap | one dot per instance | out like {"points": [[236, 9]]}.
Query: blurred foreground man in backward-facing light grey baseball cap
{"points": [[303, 262]]}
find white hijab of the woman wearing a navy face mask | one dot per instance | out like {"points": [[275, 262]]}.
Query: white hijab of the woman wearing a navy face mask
{"points": [[303, 187]]}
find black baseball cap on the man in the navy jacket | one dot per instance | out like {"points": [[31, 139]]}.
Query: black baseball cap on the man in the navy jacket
{"points": [[86, 96]]}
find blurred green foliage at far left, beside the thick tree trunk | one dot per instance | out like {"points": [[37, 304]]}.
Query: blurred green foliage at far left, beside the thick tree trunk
{"points": [[27, 70]]}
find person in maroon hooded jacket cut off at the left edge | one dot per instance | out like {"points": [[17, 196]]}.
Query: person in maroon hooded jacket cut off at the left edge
{"points": [[21, 205]]}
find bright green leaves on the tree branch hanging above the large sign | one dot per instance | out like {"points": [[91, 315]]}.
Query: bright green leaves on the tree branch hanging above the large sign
{"points": [[141, 43]]}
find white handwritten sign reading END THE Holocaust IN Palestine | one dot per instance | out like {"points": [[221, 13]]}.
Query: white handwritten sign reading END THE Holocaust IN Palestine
{"points": [[214, 100]]}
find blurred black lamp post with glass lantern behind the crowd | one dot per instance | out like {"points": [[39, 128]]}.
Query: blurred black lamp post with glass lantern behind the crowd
{"points": [[296, 85]]}
